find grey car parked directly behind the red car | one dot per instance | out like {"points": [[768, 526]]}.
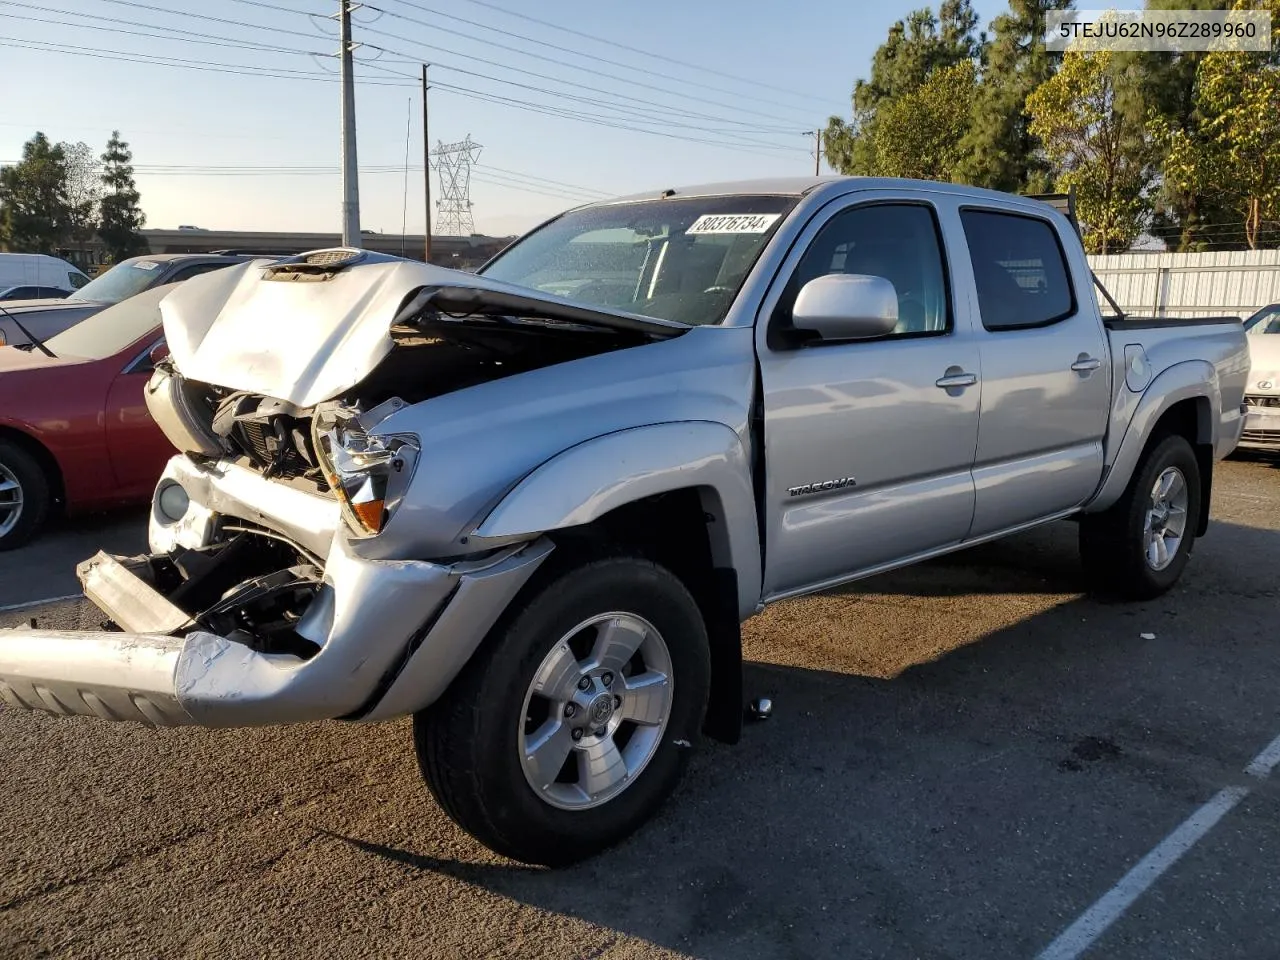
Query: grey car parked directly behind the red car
{"points": [[48, 318]]}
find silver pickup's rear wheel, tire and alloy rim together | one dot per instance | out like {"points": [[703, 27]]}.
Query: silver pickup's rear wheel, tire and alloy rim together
{"points": [[1139, 548]]}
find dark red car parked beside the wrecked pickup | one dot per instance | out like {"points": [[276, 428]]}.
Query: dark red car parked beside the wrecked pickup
{"points": [[75, 429]]}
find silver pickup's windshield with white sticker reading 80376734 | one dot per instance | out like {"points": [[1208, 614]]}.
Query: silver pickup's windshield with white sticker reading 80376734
{"points": [[680, 260]]}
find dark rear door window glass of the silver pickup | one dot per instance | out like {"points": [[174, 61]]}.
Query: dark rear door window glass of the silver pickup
{"points": [[1020, 271]]}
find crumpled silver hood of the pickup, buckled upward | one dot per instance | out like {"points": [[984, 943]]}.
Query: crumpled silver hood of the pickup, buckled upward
{"points": [[308, 340]]}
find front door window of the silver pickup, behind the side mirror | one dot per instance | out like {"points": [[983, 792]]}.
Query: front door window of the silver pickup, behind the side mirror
{"points": [[897, 241]]}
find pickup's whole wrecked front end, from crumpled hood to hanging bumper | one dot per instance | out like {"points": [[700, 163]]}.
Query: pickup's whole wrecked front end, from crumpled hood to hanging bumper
{"points": [[271, 595]]}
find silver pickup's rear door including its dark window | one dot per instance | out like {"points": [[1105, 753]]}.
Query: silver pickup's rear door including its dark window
{"points": [[1046, 388]]}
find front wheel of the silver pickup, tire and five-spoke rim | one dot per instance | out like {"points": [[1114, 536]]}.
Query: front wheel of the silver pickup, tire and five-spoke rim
{"points": [[572, 725]]}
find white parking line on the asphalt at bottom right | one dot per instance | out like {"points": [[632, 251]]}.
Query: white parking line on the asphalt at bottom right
{"points": [[1094, 922]]}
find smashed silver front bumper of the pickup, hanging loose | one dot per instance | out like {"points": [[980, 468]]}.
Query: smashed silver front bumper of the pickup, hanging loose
{"points": [[252, 628]]}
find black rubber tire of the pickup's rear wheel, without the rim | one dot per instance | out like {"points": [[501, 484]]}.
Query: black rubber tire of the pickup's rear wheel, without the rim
{"points": [[1113, 543]]}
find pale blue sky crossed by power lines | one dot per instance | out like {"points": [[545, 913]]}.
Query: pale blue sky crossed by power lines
{"points": [[232, 107]]}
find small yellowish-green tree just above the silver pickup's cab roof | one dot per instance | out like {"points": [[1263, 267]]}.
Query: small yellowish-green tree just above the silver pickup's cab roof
{"points": [[918, 135]]}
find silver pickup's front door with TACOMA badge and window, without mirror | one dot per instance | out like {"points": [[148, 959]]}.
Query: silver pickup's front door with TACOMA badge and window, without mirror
{"points": [[868, 445]]}
